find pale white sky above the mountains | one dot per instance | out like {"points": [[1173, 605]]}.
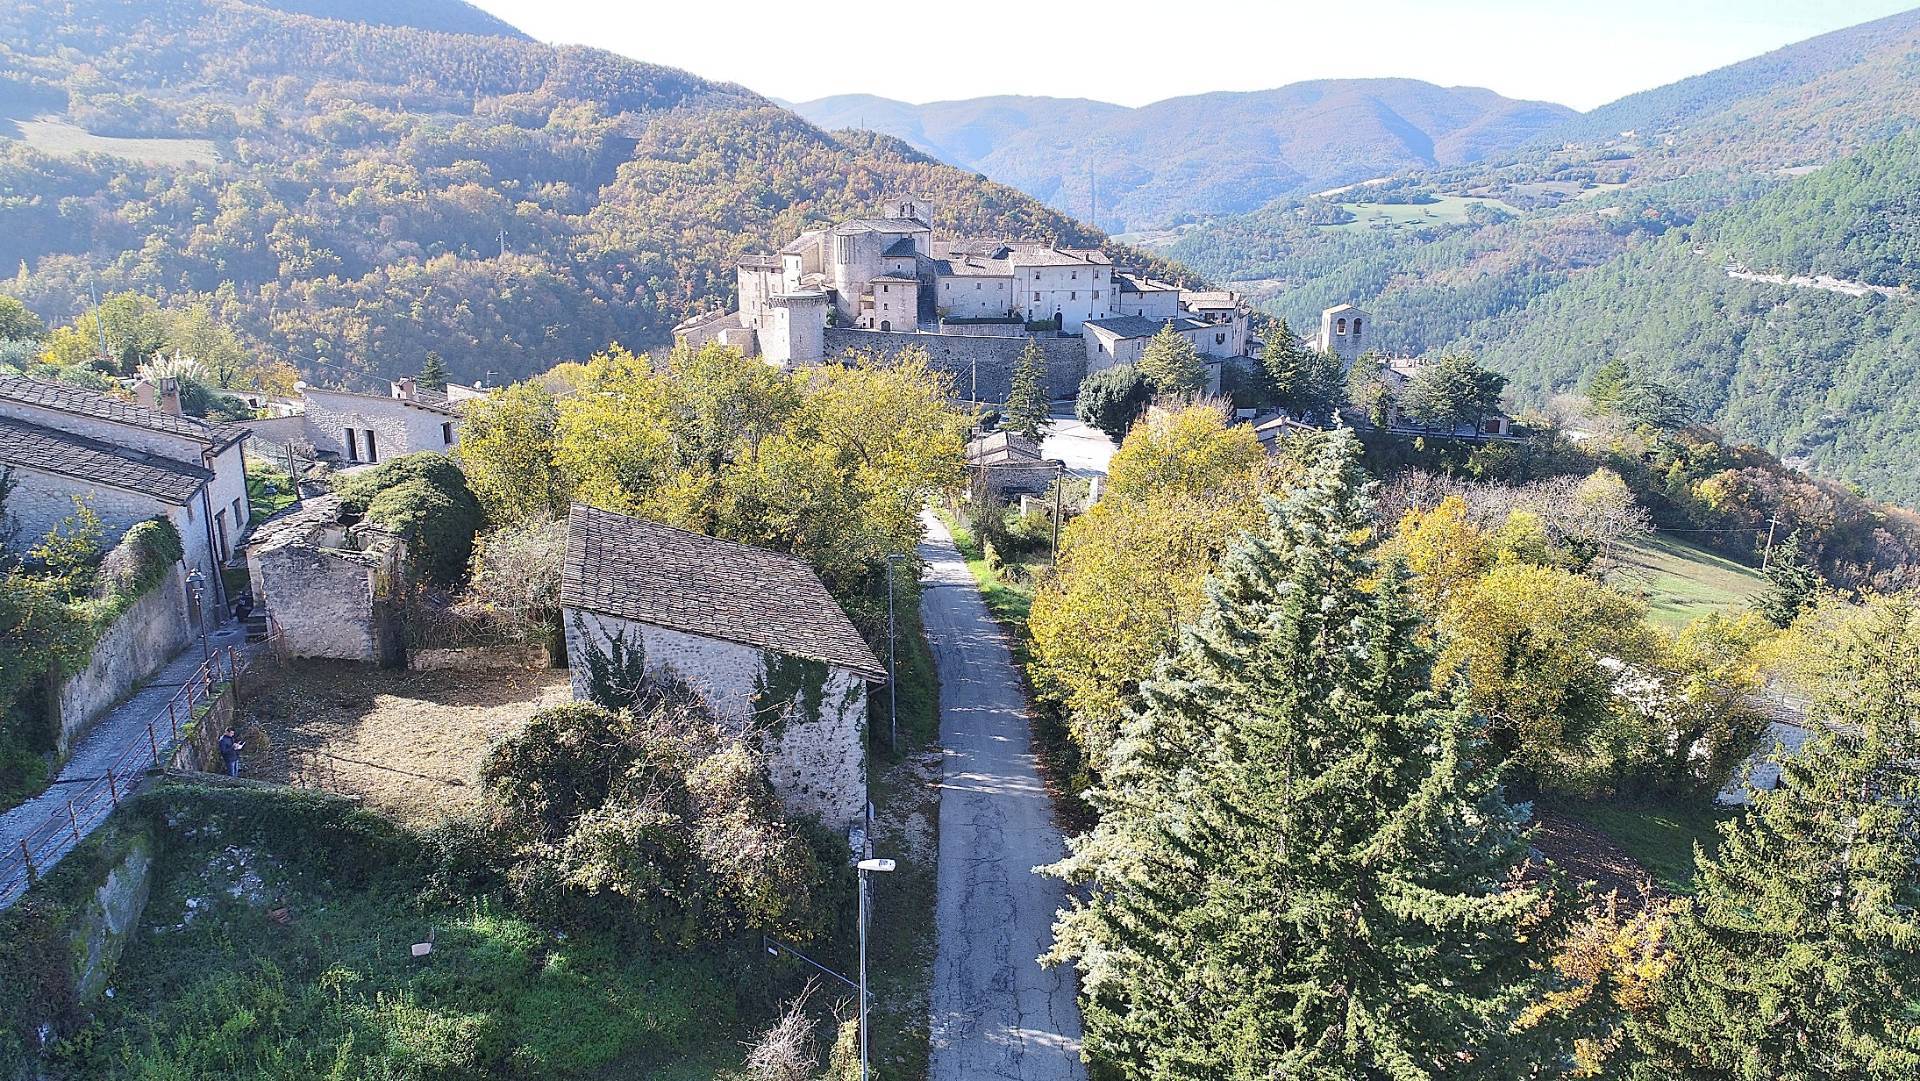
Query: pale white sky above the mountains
{"points": [[1141, 51]]}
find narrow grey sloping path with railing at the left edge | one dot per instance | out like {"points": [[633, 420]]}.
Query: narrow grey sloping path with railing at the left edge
{"points": [[43, 821]]}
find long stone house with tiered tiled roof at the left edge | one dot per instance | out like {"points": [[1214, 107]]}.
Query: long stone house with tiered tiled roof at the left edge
{"points": [[130, 464]]}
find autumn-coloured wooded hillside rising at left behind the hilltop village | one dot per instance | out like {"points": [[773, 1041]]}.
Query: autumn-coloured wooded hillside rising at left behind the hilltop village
{"points": [[385, 191]]}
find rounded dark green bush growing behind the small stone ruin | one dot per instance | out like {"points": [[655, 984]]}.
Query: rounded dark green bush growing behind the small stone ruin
{"points": [[425, 500]]}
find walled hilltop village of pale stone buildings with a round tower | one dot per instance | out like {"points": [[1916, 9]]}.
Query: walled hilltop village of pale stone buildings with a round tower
{"points": [[974, 304]]}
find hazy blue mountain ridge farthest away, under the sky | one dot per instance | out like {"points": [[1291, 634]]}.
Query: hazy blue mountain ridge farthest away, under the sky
{"points": [[1203, 155]]}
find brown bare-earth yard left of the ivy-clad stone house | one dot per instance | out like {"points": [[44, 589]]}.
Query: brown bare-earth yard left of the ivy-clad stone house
{"points": [[410, 744]]}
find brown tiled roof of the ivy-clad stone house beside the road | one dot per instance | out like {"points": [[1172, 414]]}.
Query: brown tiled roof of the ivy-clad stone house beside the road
{"points": [[696, 585]]}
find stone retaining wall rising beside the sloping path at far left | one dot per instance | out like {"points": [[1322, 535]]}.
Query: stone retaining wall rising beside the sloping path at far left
{"points": [[139, 644]]}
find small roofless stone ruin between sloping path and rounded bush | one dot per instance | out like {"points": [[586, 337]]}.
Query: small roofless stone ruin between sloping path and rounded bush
{"points": [[331, 589]]}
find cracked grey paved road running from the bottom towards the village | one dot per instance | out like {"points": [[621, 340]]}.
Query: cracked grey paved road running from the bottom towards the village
{"points": [[996, 1011]]}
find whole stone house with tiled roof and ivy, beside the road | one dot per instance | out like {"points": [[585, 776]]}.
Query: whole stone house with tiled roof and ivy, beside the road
{"points": [[752, 633]]}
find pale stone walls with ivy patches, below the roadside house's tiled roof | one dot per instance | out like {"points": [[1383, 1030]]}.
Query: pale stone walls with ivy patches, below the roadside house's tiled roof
{"points": [[815, 750]]}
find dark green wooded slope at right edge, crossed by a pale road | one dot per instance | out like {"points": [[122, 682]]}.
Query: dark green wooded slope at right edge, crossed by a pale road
{"points": [[1812, 373]]}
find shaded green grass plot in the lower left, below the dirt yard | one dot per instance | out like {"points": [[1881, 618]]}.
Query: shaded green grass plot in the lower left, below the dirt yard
{"points": [[214, 986]]}
